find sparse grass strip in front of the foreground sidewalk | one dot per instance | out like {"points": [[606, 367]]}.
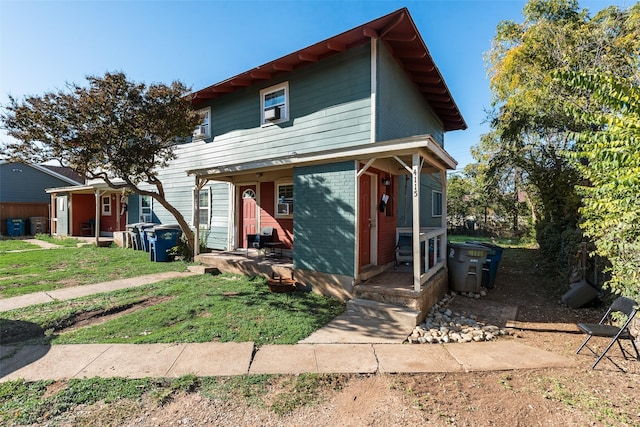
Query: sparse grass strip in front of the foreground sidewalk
{"points": [[44, 402]]}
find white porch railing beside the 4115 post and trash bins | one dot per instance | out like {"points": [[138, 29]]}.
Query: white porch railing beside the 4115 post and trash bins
{"points": [[434, 256]]}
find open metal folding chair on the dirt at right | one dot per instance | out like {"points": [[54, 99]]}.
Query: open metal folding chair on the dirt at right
{"points": [[606, 329]]}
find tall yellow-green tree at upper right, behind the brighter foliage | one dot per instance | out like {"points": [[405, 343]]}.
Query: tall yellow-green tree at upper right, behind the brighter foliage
{"points": [[529, 122]]}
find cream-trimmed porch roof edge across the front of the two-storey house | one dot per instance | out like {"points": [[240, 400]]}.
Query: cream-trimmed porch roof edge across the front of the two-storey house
{"points": [[434, 156]]}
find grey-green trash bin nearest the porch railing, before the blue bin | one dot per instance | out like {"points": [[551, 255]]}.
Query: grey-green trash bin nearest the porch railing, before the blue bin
{"points": [[465, 262]]}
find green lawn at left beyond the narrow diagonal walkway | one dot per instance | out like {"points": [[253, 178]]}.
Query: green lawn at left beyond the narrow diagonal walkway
{"points": [[45, 270]]}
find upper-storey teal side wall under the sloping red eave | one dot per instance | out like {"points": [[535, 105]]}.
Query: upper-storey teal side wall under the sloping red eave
{"points": [[401, 109]]}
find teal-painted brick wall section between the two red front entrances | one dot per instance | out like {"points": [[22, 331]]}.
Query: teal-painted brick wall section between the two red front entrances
{"points": [[324, 226]]}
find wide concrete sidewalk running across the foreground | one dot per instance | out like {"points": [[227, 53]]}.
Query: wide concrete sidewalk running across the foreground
{"points": [[61, 362]]}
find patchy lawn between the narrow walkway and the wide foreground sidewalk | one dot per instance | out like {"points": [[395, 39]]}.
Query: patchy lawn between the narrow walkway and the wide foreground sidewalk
{"points": [[194, 309]]}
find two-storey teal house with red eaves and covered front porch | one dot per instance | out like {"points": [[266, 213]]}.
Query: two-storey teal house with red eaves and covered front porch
{"points": [[339, 147]]}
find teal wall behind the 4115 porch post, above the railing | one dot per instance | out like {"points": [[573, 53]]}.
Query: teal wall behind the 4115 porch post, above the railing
{"points": [[428, 183]]}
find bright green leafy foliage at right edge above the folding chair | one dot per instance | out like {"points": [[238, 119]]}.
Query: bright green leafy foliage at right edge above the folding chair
{"points": [[608, 157]]}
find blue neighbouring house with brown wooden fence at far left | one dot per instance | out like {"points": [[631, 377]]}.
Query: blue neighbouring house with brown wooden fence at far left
{"points": [[23, 195]]}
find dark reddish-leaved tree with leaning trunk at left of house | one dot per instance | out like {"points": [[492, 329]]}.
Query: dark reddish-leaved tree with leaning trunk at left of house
{"points": [[114, 130]]}
